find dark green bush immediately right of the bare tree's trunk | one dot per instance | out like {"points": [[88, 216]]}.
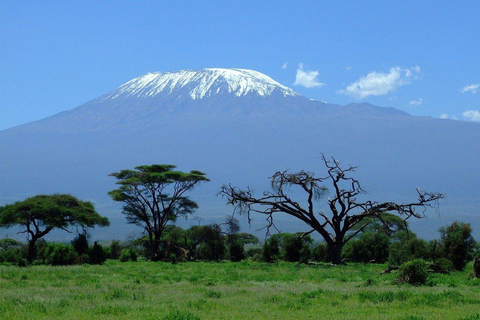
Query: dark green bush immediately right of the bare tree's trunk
{"points": [[370, 246]]}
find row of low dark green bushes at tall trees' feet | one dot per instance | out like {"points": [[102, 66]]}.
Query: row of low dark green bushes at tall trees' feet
{"points": [[218, 242]]}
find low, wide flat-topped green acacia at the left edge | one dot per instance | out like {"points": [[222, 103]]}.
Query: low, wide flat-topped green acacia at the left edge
{"points": [[41, 214]]}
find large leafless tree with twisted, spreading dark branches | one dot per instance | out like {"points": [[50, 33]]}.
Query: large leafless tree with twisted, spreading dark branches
{"points": [[346, 212]]}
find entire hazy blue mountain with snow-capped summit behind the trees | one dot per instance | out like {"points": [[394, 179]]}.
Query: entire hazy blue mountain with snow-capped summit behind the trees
{"points": [[238, 126]]}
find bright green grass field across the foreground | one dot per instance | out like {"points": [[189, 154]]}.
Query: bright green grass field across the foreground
{"points": [[245, 290]]}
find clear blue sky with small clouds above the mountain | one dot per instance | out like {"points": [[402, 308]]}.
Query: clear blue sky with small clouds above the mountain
{"points": [[418, 56]]}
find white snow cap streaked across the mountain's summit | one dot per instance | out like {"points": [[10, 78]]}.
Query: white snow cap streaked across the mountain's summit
{"points": [[201, 84]]}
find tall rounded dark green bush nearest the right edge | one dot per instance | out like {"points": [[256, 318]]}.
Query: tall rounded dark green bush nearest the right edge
{"points": [[457, 243]]}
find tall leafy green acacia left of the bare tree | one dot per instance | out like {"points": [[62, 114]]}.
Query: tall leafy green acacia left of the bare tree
{"points": [[153, 196]]}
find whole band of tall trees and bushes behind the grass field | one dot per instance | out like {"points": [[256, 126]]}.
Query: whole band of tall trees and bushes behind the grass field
{"points": [[154, 197]]}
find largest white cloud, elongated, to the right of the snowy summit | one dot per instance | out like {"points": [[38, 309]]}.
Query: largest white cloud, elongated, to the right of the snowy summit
{"points": [[379, 83]]}
